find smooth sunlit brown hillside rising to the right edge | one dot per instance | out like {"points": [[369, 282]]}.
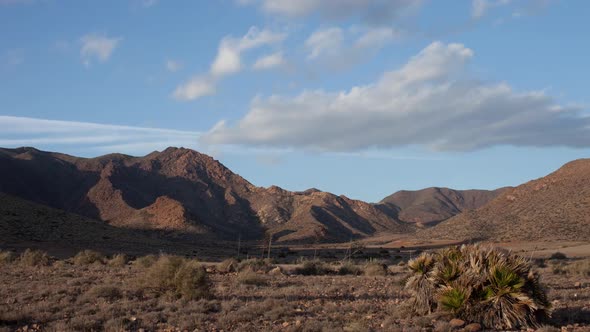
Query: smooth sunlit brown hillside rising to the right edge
{"points": [[552, 208]]}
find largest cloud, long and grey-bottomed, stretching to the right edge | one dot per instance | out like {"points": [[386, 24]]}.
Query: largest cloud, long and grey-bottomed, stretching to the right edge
{"points": [[431, 101]]}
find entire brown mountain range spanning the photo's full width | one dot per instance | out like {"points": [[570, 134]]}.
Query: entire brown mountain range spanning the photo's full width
{"points": [[183, 192]]}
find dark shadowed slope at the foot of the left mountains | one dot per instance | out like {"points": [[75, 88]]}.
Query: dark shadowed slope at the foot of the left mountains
{"points": [[24, 224]]}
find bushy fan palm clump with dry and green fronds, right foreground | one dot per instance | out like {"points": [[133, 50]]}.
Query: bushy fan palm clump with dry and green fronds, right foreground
{"points": [[478, 284]]}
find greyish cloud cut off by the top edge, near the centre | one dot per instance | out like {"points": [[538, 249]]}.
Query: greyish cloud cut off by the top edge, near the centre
{"points": [[371, 11]]}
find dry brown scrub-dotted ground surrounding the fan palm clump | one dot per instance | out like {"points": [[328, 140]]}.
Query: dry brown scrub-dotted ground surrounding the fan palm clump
{"points": [[97, 297]]}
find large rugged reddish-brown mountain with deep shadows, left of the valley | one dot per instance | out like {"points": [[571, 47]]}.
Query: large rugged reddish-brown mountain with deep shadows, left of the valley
{"points": [[185, 191]]}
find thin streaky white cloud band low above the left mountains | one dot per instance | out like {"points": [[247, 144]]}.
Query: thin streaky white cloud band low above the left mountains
{"points": [[23, 131]]}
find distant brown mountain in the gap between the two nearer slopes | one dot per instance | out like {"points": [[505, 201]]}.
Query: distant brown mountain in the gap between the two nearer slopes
{"points": [[432, 205]]}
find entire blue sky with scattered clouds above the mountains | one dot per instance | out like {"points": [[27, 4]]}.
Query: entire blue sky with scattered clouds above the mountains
{"points": [[357, 97]]}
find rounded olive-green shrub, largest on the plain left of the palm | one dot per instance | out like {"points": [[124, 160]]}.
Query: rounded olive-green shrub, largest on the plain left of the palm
{"points": [[178, 276]]}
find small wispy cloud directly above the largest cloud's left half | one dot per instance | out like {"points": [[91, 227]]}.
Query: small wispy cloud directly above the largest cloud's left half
{"points": [[336, 47]]}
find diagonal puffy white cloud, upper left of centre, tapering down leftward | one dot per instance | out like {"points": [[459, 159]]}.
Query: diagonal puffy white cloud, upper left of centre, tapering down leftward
{"points": [[227, 61]]}
